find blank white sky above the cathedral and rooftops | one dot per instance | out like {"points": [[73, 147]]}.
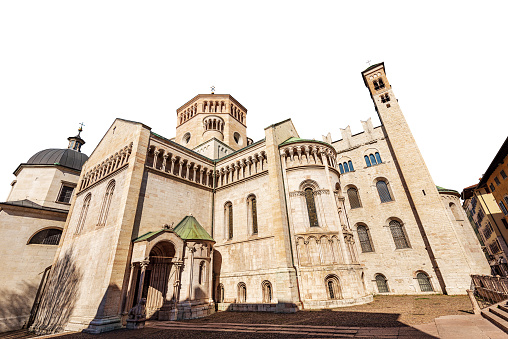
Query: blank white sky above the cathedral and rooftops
{"points": [[66, 62]]}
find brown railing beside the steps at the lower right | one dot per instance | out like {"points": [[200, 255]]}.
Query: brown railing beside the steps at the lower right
{"points": [[490, 290]]}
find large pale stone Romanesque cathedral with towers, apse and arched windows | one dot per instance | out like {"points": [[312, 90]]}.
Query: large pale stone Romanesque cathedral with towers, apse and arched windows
{"points": [[211, 220]]}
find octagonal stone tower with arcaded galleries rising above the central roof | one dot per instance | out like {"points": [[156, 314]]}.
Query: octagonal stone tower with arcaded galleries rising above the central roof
{"points": [[208, 116]]}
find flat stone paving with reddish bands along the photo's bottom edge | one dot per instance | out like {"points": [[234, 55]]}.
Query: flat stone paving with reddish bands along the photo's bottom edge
{"points": [[445, 327]]}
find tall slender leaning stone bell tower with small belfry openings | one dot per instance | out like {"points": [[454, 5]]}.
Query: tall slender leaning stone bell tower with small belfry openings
{"points": [[430, 215]]}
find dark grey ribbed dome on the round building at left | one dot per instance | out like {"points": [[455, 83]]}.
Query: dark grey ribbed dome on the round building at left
{"points": [[64, 157]]}
